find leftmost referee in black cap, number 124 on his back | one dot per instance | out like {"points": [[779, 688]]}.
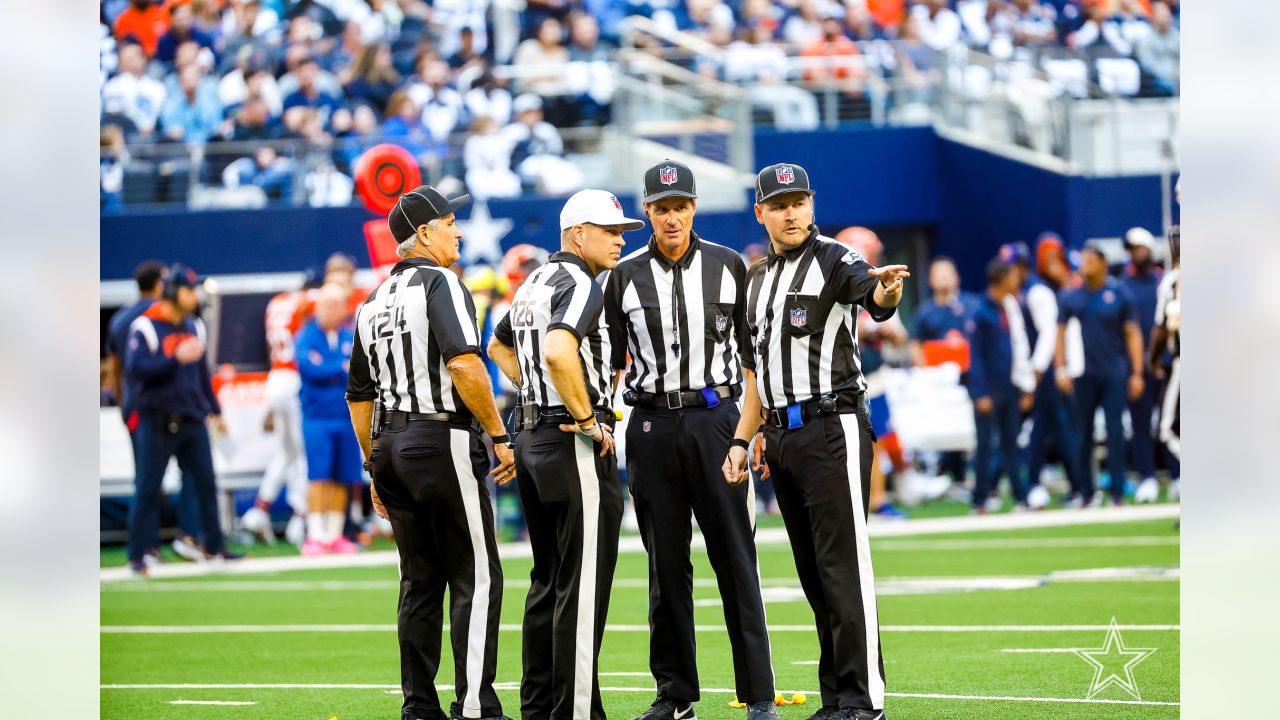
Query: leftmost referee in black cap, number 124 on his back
{"points": [[417, 390]]}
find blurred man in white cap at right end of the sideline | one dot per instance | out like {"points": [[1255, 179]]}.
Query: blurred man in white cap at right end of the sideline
{"points": [[1142, 279]]}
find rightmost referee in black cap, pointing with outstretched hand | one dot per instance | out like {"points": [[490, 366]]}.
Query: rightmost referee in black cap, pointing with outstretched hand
{"points": [[817, 434]]}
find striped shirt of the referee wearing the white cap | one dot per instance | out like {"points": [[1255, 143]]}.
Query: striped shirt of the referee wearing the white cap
{"points": [[559, 295]]}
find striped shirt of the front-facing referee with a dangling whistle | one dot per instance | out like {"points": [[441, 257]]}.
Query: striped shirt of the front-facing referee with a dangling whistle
{"points": [[684, 322]]}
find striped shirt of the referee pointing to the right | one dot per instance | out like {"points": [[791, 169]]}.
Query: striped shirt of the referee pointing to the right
{"points": [[804, 322]]}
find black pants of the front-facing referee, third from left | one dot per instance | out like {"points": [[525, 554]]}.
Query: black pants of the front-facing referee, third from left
{"points": [[674, 467]]}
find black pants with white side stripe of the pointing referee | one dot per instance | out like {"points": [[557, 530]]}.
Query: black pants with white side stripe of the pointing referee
{"points": [[822, 473]]}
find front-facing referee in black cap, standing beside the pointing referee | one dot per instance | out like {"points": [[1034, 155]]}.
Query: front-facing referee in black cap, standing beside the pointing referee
{"points": [[679, 308]]}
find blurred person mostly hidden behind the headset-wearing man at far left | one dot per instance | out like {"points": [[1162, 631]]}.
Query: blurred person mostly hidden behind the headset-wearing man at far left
{"points": [[150, 280]]}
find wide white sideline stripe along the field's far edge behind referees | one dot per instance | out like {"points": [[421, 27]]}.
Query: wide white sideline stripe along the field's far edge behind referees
{"points": [[632, 544]]}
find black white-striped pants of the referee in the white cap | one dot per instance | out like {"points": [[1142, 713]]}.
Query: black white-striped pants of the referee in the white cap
{"points": [[573, 505]]}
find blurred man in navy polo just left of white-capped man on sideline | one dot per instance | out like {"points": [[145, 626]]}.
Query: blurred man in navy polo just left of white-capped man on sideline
{"points": [[1113, 367]]}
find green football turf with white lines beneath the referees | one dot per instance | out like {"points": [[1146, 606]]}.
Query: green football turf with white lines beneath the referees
{"points": [[975, 625]]}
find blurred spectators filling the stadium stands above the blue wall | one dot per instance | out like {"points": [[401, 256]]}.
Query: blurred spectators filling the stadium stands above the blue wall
{"points": [[304, 88]]}
